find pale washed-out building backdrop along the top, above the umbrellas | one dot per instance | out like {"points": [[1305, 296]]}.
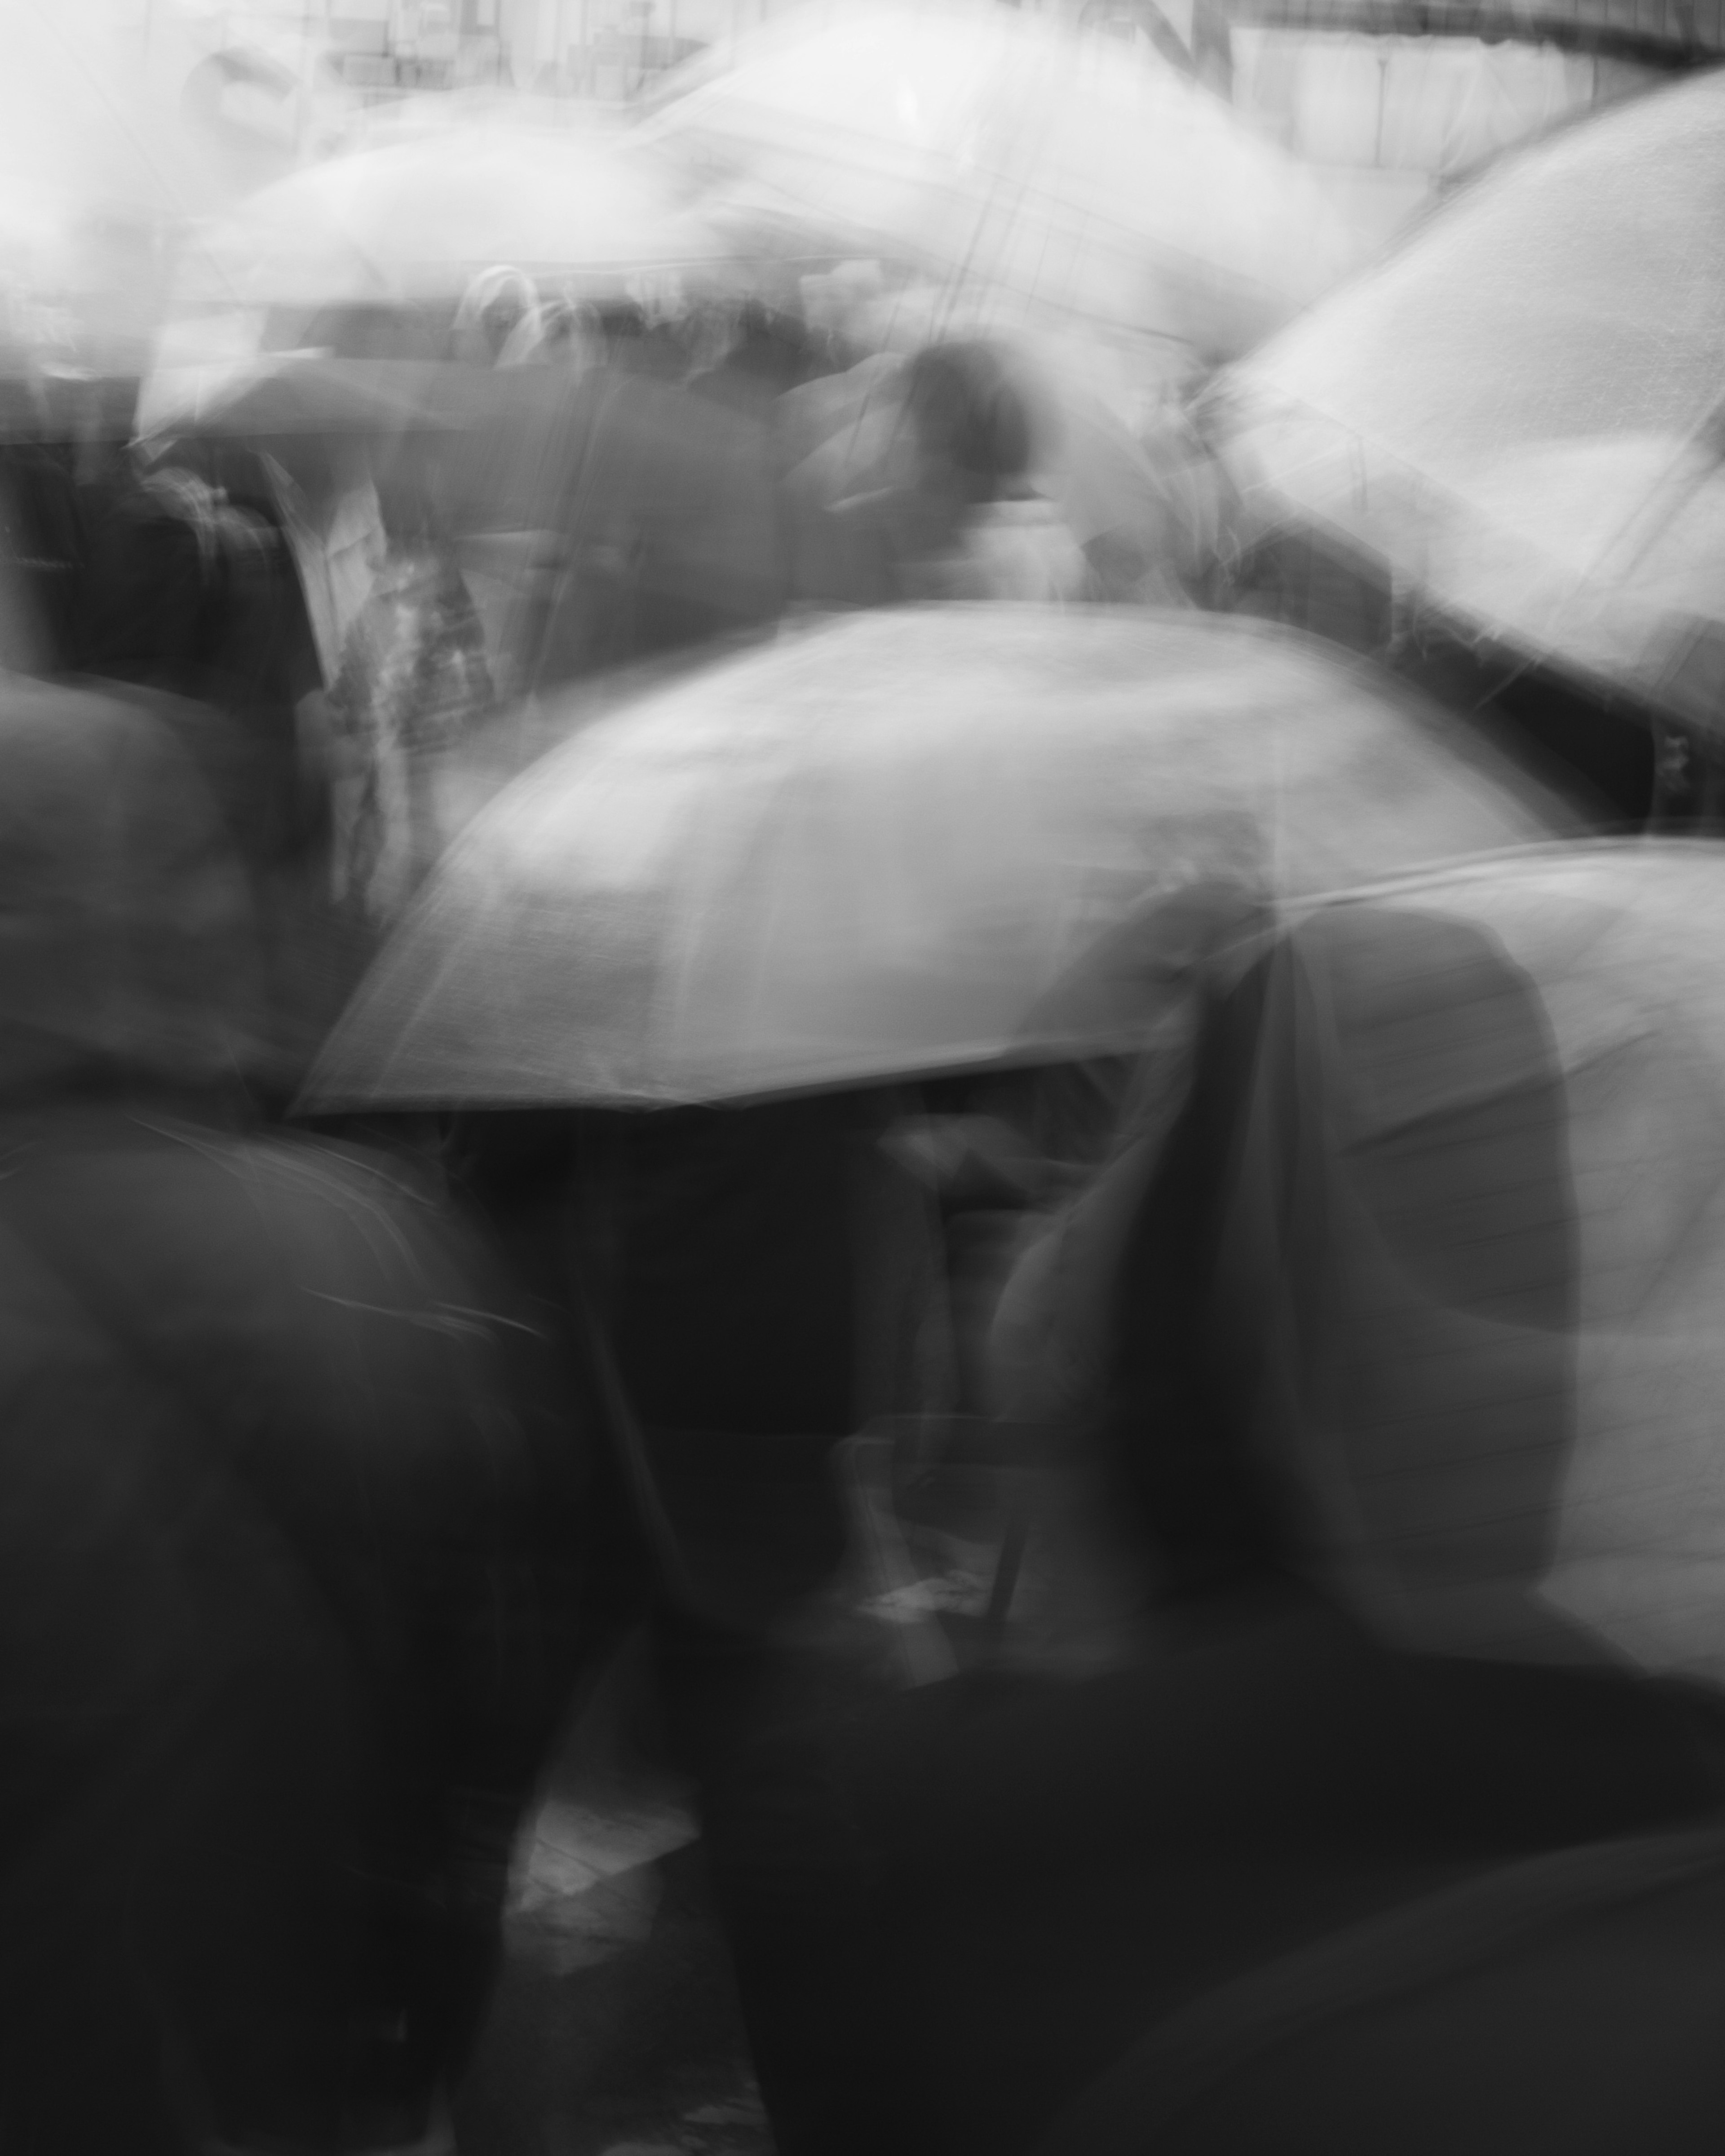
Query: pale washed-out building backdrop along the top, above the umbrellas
{"points": [[1390, 98]]}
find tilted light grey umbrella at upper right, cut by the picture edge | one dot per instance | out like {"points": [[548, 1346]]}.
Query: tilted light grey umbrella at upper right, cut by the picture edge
{"points": [[1519, 411]]}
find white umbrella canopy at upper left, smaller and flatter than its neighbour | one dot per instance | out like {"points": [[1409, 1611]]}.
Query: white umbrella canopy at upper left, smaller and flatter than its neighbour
{"points": [[424, 217]]}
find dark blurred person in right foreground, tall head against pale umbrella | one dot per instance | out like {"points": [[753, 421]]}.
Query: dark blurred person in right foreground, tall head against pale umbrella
{"points": [[965, 1905]]}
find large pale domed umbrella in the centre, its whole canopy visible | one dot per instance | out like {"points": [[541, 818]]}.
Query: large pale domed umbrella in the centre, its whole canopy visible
{"points": [[896, 844]]}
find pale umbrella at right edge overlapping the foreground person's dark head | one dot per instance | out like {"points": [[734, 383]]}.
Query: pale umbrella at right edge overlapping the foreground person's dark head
{"points": [[1526, 1226]]}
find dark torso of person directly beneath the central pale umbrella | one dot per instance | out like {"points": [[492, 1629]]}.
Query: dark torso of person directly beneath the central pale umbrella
{"points": [[760, 1275]]}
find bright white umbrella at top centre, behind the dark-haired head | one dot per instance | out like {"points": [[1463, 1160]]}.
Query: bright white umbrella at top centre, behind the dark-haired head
{"points": [[1010, 156]]}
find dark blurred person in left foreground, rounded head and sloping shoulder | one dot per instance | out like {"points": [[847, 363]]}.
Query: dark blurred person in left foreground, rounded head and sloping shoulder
{"points": [[290, 1519]]}
